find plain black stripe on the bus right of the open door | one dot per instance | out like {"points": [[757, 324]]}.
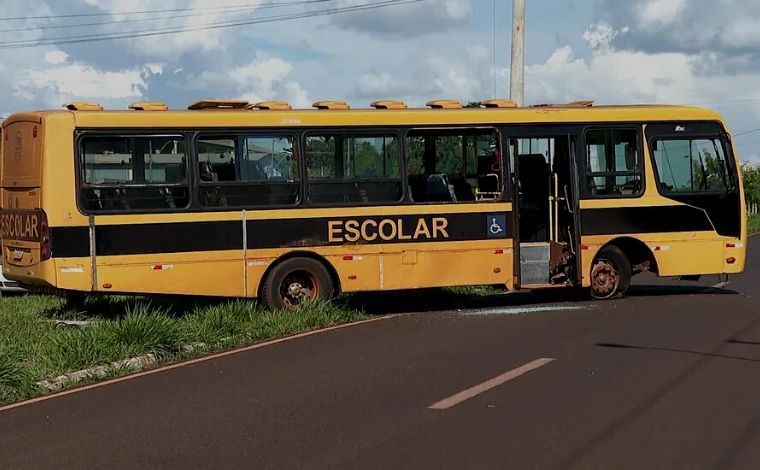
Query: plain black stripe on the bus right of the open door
{"points": [[659, 219]]}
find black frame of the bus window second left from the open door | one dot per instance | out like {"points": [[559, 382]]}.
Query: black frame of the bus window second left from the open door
{"points": [[360, 132]]}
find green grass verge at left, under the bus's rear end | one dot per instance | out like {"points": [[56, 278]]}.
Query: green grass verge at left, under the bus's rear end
{"points": [[34, 348]]}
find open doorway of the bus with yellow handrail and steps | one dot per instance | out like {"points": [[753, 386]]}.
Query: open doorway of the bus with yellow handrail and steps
{"points": [[543, 175]]}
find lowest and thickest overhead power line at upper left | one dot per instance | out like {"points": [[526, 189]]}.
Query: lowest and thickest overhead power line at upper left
{"points": [[209, 26]]}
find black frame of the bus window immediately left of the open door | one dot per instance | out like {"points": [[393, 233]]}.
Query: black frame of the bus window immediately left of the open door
{"points": [[505, 195]]}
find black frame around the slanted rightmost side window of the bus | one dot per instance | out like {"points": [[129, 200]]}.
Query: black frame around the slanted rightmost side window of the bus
{"points": [[725, 140]]}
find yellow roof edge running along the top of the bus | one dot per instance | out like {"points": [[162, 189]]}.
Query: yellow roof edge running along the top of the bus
{"points": [[371, 117]]}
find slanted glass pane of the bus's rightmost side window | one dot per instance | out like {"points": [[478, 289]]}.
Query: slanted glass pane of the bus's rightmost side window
{"points": [[691, 165]]}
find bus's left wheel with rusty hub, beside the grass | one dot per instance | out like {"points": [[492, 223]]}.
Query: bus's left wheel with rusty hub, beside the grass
{"points": [[296, 281]]}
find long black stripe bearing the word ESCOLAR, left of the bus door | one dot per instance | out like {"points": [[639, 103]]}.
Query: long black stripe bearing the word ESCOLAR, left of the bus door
{"points": [[183, 237]]}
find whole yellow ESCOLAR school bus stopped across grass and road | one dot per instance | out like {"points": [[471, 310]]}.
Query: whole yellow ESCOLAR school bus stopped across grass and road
{"points": [[259, 200]]}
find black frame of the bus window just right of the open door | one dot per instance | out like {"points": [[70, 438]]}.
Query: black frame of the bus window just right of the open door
{"points": [[582, 157]]}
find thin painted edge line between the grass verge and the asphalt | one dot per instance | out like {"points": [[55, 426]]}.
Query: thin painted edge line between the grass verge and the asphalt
{"points": [[190, 362]]}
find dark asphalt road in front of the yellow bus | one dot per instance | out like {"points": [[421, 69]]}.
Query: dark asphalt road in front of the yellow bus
{"points": [[668, 377]]}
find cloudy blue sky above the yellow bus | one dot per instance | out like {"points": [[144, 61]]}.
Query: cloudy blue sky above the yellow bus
{"points": [[695, 52]]}
